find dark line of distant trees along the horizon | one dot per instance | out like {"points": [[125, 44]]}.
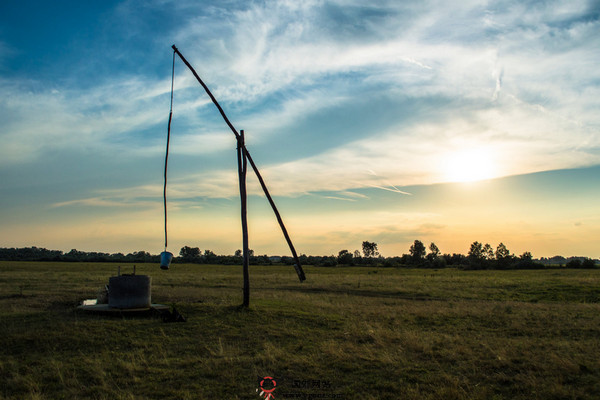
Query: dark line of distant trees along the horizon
{"points": [[479, 256]]}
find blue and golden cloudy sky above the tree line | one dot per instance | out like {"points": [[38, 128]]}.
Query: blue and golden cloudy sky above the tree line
{"points": [[384, 121]]}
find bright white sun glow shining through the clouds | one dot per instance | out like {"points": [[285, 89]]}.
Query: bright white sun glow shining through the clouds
{"points": [[469, 165]]}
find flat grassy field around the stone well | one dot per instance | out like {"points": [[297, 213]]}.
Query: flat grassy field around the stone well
{"points": [[346, 333]]}
